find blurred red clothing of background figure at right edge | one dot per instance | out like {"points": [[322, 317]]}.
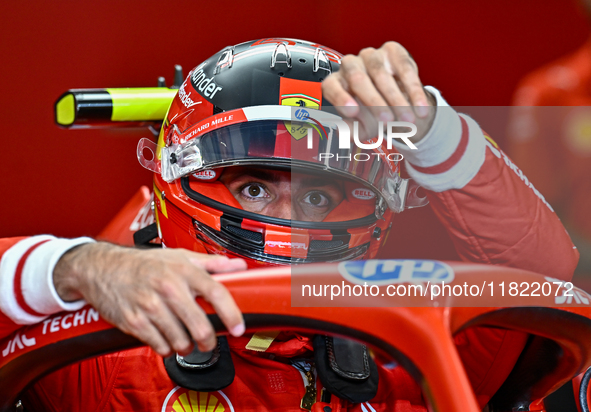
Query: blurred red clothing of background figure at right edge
{"points": [[553, 144]]}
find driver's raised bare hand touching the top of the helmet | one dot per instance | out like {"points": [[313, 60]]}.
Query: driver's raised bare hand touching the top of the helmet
{"points": [[386, 80]]}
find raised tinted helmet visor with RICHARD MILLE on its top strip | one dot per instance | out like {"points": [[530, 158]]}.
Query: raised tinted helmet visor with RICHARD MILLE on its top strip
{"points": [[271, 137]]}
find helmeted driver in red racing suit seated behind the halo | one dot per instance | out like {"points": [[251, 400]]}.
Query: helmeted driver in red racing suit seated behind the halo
{"points": [[234, 183]]}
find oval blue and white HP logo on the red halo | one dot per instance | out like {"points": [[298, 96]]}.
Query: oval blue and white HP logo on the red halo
{"points": [[387, 272]]}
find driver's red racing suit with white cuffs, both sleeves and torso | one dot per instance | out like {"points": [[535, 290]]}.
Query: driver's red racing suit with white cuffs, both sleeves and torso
{"points": [[490, 209]]}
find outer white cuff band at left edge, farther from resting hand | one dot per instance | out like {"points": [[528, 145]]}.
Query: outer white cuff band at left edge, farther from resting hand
{"points": [[8, 266]]}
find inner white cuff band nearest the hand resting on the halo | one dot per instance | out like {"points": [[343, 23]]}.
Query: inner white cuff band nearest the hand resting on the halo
{"points": [[37, 279]]}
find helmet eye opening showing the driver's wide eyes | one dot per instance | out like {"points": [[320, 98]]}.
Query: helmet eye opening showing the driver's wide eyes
{"points": [[288, 194]]}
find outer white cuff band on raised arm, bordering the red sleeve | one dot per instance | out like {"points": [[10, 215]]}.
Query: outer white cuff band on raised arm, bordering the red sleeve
{"points": [[463, 171]]}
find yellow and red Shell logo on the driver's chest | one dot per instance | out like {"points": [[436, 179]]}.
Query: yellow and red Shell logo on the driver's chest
{"points": [[186, 400]]}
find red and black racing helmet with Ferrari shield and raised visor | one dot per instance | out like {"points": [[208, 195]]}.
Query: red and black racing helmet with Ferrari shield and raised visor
{"points": [[258, 106]]}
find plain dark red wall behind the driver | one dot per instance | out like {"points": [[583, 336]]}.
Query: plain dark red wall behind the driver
{"points": [[71, 182]]}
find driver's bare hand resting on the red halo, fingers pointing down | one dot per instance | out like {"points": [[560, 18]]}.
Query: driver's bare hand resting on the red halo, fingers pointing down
{"points": [[150, 294]]}
